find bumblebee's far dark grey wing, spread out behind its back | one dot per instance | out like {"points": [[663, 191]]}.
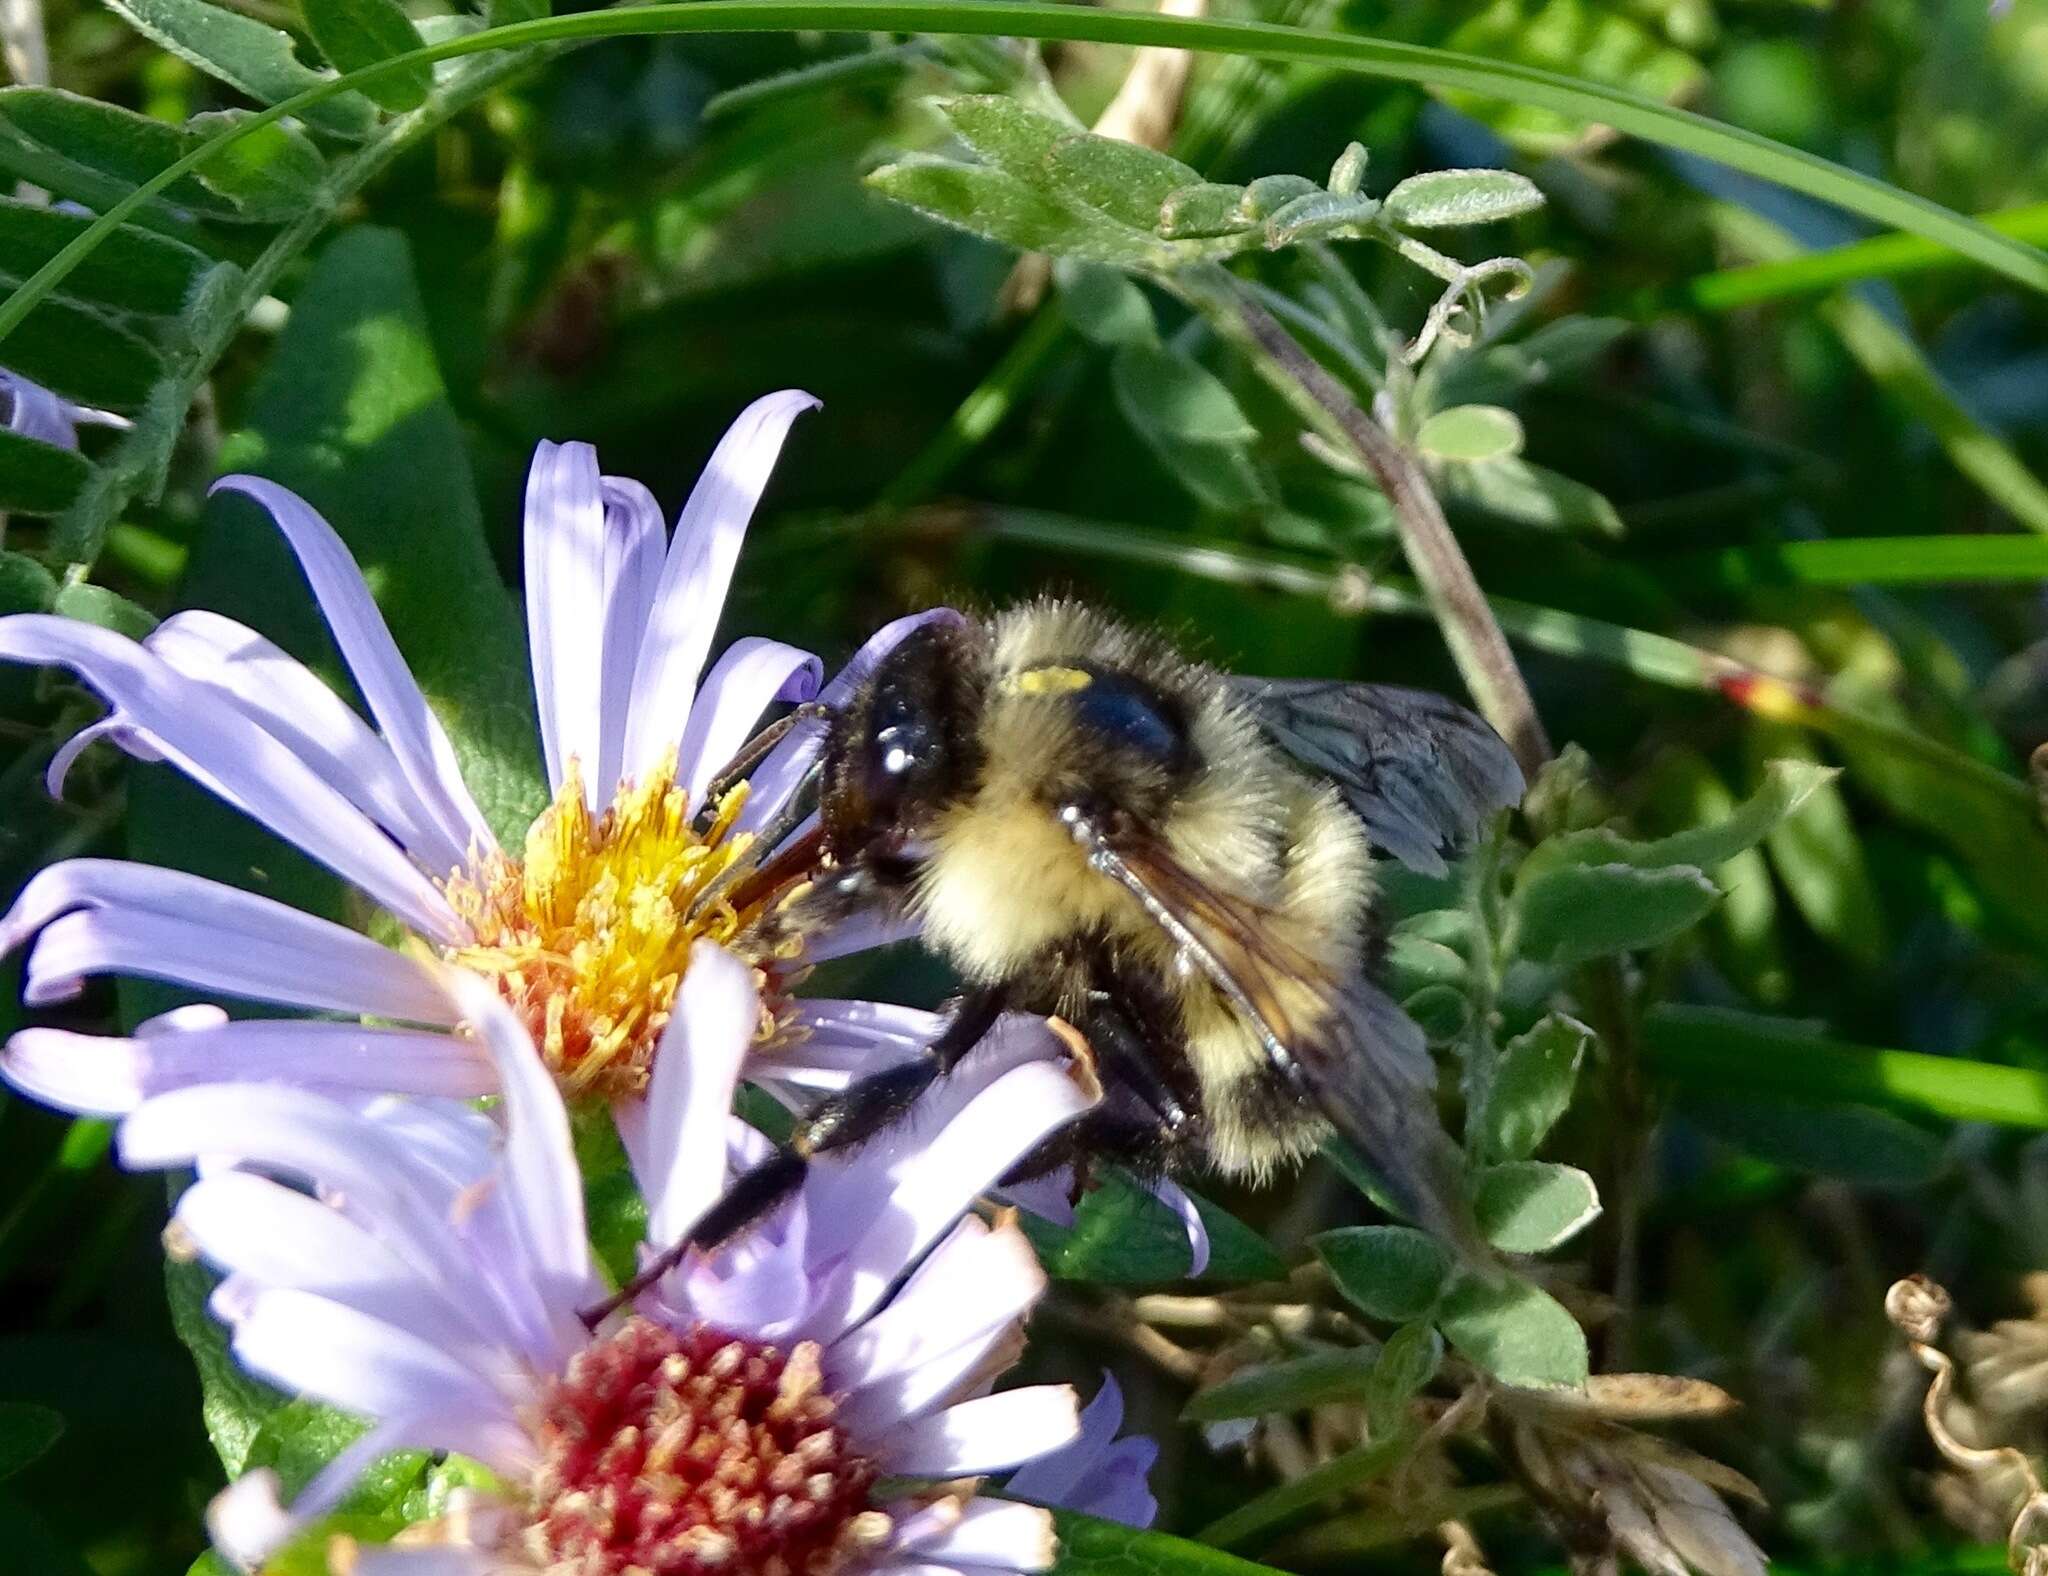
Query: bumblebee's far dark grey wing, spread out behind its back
{"points": [[1418, 769]]}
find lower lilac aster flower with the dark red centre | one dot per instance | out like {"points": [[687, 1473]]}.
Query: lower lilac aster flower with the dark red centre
{"points": [[740, 1417]]}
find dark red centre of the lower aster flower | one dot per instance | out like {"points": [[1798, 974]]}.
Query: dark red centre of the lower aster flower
{"points": [[697, 1454]]}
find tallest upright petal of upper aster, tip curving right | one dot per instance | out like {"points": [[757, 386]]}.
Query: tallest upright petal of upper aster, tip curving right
{"points": [[699, 572]]}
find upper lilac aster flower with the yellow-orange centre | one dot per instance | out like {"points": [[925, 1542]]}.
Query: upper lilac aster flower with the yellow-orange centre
{"points": [[587, 928]]}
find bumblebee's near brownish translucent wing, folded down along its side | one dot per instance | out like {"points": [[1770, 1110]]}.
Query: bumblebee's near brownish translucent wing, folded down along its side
{"points": [[1345, 1045]]}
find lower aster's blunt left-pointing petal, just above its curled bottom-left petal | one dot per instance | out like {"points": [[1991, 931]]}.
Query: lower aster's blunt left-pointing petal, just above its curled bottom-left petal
{"points": [[355, 1362]]}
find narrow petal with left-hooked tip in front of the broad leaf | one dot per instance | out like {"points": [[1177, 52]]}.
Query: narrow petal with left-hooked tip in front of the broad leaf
{"points": [[374, 660]]}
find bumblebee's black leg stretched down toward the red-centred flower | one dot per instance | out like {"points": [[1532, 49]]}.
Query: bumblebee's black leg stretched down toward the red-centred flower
{"points": [[853, 1117]]}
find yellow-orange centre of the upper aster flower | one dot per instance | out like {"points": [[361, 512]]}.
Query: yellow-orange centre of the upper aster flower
{"points": [[591, 930]]}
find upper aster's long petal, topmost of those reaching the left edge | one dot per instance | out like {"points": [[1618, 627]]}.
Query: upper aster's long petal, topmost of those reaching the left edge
{"points": [[232, 756]]}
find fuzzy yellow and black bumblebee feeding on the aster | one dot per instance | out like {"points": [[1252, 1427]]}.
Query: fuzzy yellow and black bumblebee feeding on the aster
{"points": [[1177, 863]]}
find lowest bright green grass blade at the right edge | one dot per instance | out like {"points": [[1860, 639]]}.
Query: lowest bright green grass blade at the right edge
{"points": [[1719, 1051]]}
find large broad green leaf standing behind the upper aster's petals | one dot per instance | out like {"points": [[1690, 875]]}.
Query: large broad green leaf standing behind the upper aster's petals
{"points": [[353, 417]]}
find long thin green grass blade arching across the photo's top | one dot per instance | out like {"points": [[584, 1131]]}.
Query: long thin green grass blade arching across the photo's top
{"points": [[1400, 62]]}
